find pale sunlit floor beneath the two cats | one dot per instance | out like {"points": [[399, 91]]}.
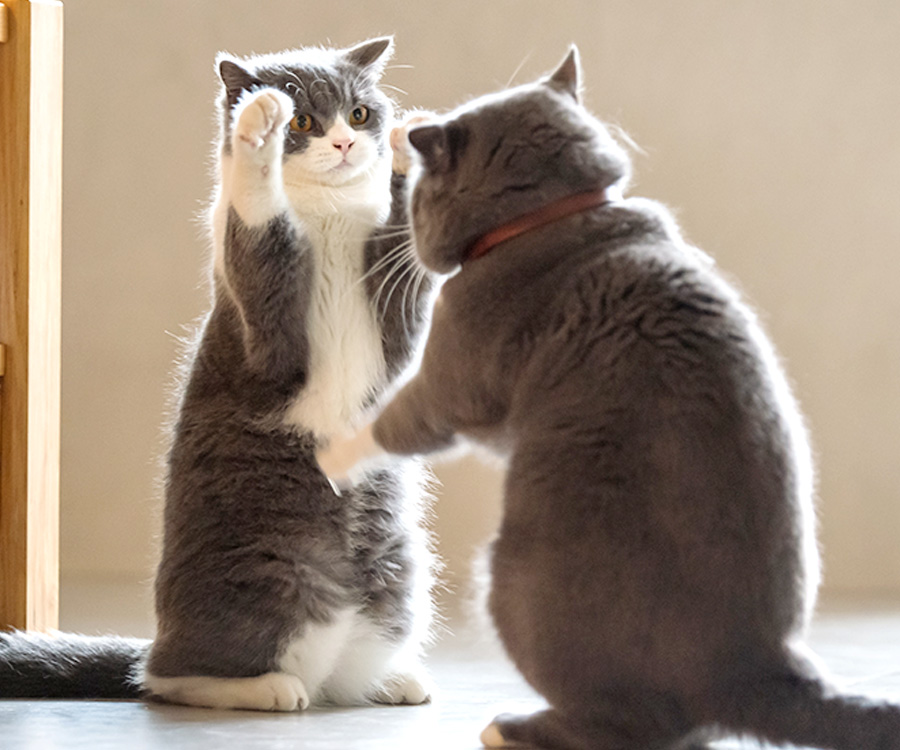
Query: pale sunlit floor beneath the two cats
{"points": [[860, 643]]}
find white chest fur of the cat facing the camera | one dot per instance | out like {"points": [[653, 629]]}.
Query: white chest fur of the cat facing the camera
{"points": [[346, 356]]}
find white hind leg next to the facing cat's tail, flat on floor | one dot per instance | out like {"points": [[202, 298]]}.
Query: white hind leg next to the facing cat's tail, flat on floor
{"points": [[273, 691]]}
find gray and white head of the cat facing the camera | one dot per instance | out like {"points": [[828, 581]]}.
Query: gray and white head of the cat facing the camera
{"points": [[340, 115]]}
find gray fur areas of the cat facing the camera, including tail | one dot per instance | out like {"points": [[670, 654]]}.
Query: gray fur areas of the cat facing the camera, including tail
{"points": [[257, 546]]}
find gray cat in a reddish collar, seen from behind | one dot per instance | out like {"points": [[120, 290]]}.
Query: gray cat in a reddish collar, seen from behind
{"points": [[655, 568]]}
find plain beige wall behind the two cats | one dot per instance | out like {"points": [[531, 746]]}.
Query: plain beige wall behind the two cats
{"points": [[772, 127]]}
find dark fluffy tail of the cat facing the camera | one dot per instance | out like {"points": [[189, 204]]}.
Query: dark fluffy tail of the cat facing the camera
{"points": [[62, 665]]}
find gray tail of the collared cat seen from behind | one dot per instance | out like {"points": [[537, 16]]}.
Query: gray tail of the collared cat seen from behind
{"points": [[805, 710]]}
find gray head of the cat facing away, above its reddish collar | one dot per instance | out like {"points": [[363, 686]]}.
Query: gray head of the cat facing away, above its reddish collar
{"points": [[502, 156]]}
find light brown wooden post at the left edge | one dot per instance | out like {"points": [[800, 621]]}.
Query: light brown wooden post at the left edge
{"points": [[30, 250]]}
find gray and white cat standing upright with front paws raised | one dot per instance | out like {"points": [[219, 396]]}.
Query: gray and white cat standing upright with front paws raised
{"points": [[273, 591]]}
